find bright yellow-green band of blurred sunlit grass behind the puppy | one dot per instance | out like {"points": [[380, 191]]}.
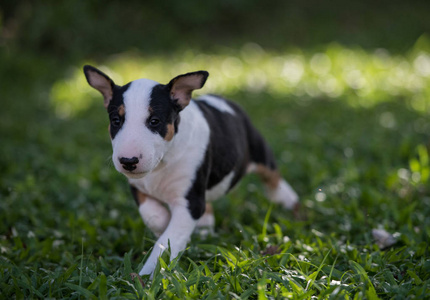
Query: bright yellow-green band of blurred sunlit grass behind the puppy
{"points": [[362, 78]]}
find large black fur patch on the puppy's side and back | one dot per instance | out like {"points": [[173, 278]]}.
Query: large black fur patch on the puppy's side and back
{"points": [[233, 144]]}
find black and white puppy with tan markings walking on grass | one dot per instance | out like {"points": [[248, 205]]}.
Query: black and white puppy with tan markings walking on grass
{"points": [[179, 153]]}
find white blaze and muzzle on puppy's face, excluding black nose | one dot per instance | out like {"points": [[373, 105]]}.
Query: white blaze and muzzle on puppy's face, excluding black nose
{"points": [[134, 139]]}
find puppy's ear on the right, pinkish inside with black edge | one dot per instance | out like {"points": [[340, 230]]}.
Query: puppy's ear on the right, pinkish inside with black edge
{"points": [[182, 86]]}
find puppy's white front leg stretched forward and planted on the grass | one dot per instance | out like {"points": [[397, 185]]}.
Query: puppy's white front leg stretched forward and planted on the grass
{"points": [[177, 234]]}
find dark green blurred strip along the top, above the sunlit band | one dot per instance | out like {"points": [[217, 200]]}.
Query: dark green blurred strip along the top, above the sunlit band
{"points": [[76, 30]]}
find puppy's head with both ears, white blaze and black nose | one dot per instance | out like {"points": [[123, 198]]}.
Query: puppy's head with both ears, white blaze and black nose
{"points": [[144, 117]]}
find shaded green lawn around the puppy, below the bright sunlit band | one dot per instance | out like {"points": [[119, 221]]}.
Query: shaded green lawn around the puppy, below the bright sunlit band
{"points": [[70, 228]]}
